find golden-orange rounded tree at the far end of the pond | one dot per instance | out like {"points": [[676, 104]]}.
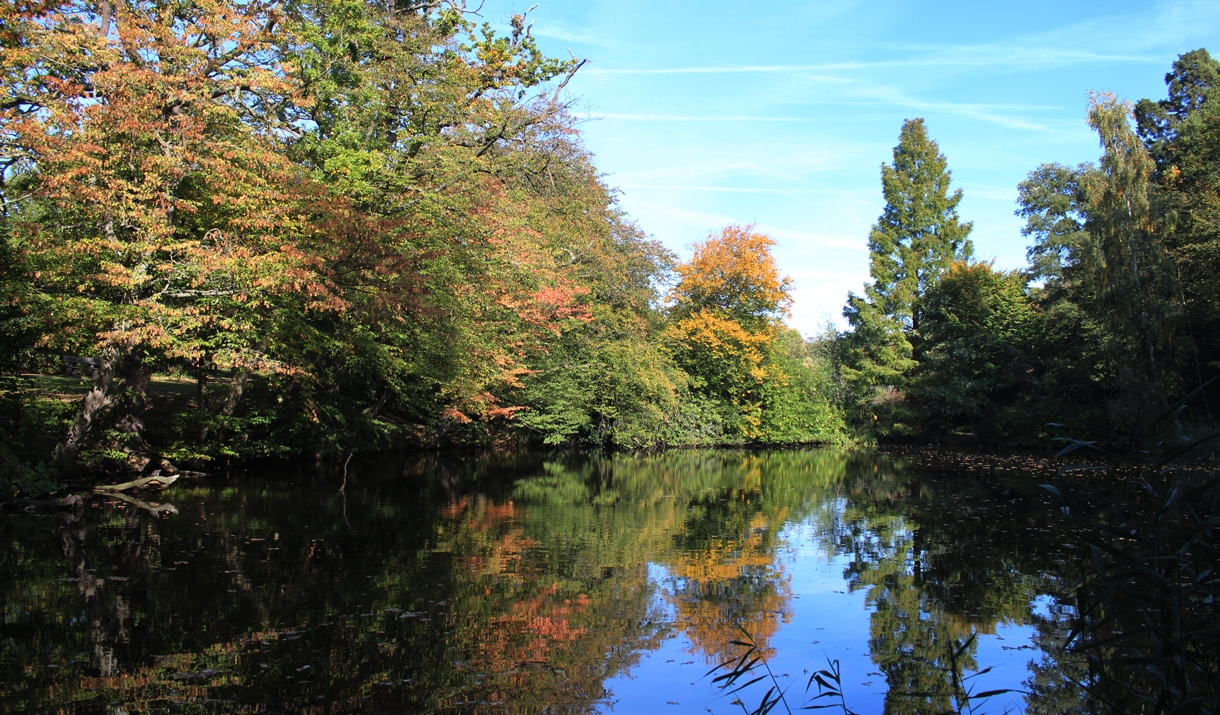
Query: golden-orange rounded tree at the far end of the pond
{"points": [[727, 311]]}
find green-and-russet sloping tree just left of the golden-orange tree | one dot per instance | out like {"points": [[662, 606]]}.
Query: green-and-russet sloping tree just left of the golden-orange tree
{"points": [[605, 379]]}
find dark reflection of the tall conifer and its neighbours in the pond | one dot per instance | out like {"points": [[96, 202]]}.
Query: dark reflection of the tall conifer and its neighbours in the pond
{"points": [[939, 564]]}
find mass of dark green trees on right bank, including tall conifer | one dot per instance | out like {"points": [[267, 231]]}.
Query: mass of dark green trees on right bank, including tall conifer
{"points": [[1116, 317]]}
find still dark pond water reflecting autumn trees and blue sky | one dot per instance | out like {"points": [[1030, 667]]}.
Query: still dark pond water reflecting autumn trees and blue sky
{"points": [[530, 584]]}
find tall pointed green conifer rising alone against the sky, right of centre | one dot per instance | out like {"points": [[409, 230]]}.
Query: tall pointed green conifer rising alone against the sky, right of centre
{"points": [[916, 240]]}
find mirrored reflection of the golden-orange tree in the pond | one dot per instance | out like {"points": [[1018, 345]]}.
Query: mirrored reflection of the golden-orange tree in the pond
{"points": [[723, 566]]}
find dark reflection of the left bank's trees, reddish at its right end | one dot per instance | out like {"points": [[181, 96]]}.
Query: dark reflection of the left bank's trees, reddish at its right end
{"points": [[279, 605]]}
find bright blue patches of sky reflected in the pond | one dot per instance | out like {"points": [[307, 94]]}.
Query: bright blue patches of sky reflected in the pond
{"points": [[828, 623]]}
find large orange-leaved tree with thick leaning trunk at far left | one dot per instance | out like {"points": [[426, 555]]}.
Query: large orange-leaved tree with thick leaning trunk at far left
{"points": [[148, 196]]}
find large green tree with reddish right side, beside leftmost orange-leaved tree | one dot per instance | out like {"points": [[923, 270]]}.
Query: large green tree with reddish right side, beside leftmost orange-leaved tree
{"points": [[422, 124]]}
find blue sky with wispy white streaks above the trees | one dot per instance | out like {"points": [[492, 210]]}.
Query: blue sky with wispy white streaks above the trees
{"points": [[706, 114]]}
